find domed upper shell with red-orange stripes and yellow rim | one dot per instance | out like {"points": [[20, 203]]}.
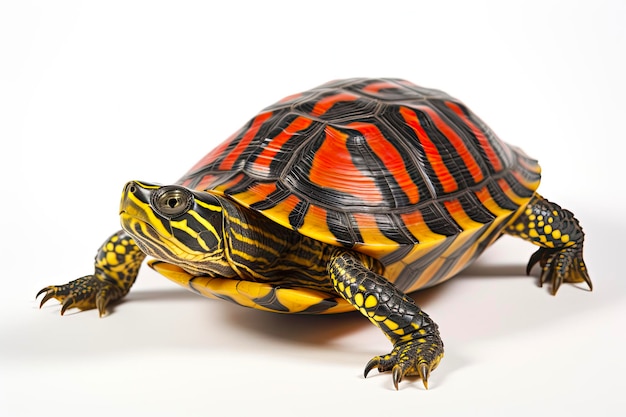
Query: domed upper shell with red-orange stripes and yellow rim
{"points": [[403, 173]]}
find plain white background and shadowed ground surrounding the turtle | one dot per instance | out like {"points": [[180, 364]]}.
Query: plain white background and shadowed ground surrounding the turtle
{"points": [[93, 94]]}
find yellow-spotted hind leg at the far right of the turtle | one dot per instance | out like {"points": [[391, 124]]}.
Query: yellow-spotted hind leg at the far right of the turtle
{"points": [[560, 238]]}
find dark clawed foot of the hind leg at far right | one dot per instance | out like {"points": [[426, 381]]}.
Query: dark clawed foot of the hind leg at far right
{"points": [[560, 265]]}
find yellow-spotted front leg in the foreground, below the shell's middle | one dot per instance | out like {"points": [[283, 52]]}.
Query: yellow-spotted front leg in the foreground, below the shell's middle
{"points": [[417, 346]]}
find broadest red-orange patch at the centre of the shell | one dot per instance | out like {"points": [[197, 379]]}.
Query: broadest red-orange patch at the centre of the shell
{"points": [[334, 168]]}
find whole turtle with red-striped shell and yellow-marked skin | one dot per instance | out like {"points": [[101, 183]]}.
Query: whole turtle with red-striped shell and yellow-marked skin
{"points": [[348, 196]]}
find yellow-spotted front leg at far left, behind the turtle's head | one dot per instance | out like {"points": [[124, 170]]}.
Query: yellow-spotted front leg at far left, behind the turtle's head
{"points": [[115, 270]]}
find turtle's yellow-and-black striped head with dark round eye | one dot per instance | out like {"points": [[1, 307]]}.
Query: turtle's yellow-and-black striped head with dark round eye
{"points": [[176, 225]]}
